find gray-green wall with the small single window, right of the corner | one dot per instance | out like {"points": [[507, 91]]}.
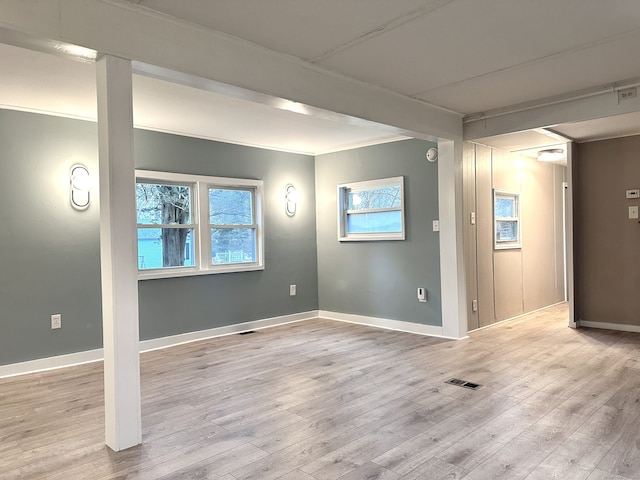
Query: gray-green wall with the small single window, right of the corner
{"points": [[380, 279]]}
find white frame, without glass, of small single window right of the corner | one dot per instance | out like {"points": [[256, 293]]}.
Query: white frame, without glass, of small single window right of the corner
{"points": [[344, 212]]}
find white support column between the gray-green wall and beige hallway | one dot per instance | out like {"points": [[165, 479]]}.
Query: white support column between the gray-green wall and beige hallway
{"points": [[452, 274]]}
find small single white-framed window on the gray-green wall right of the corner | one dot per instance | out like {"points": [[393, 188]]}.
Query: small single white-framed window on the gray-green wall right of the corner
{"points": [[371, 210]]}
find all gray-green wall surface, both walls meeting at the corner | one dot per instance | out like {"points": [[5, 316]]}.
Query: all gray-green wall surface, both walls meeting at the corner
{"points": [[50, 261]]}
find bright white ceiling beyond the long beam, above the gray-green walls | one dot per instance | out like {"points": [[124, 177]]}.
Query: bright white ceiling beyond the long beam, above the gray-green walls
{"points": [[46, 83]]}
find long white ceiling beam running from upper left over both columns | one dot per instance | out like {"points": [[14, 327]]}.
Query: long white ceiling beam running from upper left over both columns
{"points": [[120, 29]]}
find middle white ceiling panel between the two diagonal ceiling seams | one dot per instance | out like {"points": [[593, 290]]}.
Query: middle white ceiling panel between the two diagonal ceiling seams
{"points": [[466, 39]]}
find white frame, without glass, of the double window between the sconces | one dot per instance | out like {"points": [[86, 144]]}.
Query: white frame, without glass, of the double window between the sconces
{"points": [[201, 226]]}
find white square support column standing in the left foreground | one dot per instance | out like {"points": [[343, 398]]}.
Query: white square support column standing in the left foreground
{"points": [[118, 252]]}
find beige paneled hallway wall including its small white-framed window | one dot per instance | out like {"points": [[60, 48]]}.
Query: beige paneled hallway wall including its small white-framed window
{"points": [[515, 234]]}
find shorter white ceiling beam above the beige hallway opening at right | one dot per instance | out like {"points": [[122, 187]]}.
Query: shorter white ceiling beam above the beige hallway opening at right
{"points": [[586, 107]]}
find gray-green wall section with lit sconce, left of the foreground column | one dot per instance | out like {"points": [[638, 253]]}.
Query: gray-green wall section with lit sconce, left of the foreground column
{"points": [[49, 253]]}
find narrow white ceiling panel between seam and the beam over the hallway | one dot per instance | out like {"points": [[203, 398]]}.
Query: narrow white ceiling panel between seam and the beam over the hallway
{"points": [[568, 72]]}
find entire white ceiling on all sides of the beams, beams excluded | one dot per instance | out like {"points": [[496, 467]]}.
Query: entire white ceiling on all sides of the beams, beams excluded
{"points": [[467, 56]]}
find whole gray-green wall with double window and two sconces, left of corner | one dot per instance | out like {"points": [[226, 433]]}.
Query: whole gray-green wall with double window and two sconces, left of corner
{"points": [[49, 253]]}
